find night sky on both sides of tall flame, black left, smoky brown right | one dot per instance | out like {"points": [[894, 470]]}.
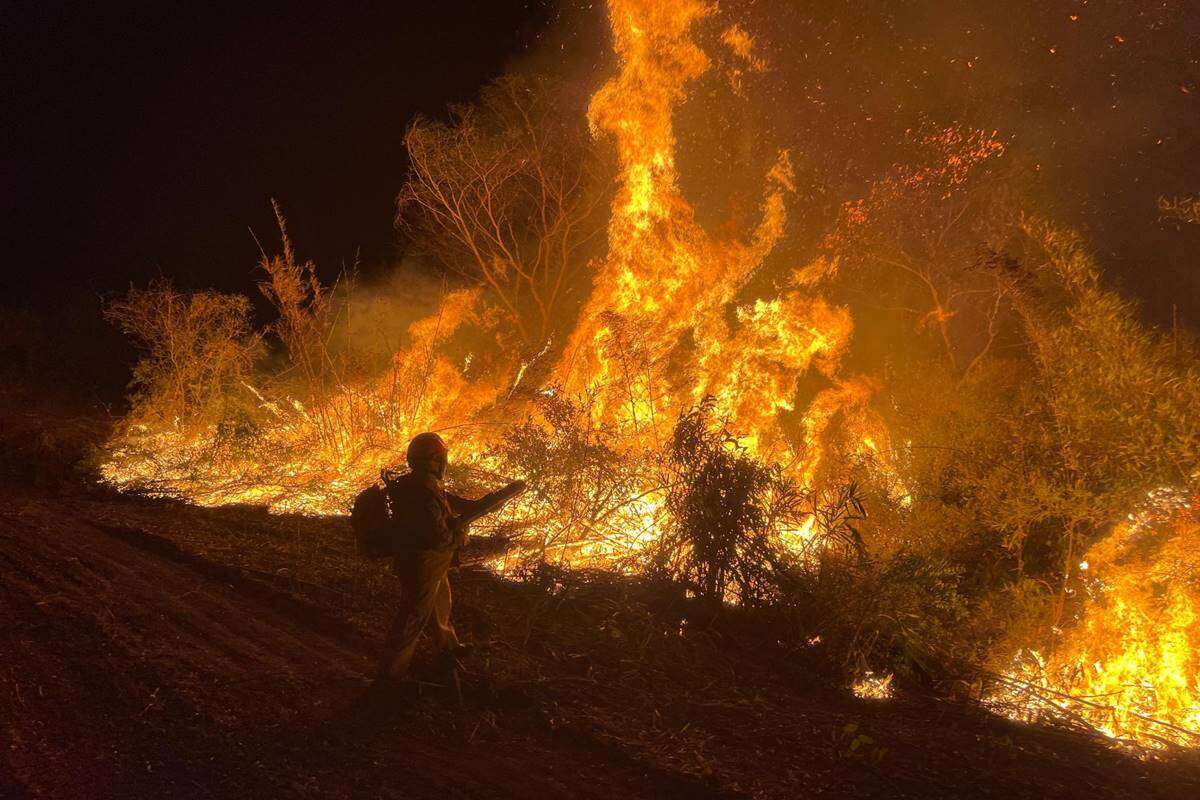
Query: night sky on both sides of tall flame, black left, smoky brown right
{"points": [[147, 139]]}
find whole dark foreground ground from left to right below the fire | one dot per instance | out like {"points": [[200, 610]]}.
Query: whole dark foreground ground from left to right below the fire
{"points": [[153, 649]]}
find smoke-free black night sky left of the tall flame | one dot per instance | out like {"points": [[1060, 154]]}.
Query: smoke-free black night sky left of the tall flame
{"points": [[149, 136]]}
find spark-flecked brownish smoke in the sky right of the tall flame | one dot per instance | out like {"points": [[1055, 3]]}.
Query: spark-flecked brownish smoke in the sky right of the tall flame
{"points": [[1099, 100]]}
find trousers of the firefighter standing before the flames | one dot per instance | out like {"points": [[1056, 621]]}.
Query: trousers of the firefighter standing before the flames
{"points": [[424, 599]]}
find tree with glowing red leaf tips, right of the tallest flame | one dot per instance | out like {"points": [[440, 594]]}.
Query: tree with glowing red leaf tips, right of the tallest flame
{"points": [[926, 233]]}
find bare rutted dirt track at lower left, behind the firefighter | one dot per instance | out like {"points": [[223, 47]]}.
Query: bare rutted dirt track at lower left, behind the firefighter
{"points": [[130, 672]]}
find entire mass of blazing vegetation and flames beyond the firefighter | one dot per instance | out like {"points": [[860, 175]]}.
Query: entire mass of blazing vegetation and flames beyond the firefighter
{"points": [[926, 438]]}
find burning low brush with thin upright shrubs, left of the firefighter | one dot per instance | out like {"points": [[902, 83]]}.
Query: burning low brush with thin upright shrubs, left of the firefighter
{"points": [[307, 428]]}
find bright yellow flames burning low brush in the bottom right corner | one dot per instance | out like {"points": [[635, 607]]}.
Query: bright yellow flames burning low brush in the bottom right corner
{"points": [[1129, 665]]}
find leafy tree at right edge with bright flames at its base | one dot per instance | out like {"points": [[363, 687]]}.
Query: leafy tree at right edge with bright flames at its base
{"points": [[1111, 446]]}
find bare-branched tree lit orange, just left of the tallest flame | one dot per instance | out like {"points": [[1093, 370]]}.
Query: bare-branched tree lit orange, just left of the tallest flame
{"points": [[509, 195]]}
